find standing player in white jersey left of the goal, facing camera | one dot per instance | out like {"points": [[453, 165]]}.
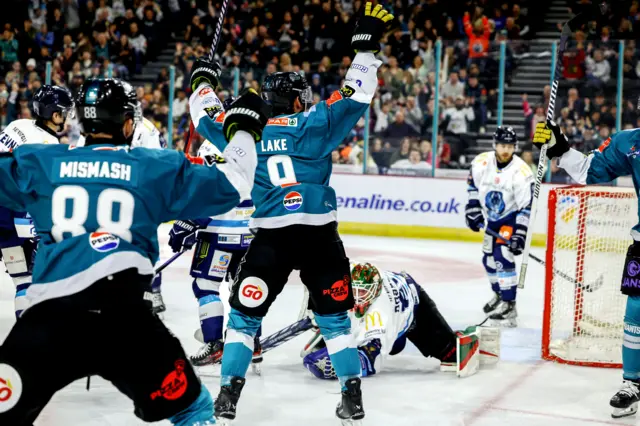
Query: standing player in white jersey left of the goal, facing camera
{"points": [[500, 185]]}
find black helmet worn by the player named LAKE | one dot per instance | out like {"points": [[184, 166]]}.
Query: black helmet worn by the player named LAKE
{"points": [[281, 89]]}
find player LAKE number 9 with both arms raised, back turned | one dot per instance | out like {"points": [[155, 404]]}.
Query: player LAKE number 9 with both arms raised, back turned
{"points": [[295, 218]]}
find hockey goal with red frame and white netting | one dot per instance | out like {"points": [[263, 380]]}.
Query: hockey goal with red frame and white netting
{"points": [[588, 238]]}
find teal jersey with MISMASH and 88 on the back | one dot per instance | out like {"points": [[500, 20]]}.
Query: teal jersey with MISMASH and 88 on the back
{"points": [[97, 208]]}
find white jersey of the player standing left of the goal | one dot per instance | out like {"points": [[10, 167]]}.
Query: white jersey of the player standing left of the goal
{"points": [[501, 192]]}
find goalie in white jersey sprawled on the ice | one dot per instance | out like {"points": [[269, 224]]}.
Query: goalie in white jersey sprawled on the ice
{"points": [[391, 308]]}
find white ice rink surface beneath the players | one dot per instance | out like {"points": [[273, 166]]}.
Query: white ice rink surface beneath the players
{"points": [[410, 390]]}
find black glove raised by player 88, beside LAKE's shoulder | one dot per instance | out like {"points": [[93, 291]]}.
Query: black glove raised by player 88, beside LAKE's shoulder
{"points": [[249, 113]]}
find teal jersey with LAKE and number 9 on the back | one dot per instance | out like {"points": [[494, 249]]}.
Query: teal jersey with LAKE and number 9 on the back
{"points": [[294, 157]]}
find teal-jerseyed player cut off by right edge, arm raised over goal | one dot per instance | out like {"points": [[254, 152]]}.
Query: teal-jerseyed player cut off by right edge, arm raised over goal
{"points": [[617, 156]]}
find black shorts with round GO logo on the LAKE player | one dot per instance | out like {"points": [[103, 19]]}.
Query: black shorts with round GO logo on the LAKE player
{"points": [[316, 251]]}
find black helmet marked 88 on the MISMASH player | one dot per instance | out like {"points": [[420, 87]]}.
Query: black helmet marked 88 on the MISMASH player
{"points": [[104, 105]]}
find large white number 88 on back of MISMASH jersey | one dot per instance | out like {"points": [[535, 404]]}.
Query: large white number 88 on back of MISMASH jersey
{"points": [[73, 221]]}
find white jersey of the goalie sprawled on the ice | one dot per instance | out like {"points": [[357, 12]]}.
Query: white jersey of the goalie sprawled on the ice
{"points": [[390, 315]]}
